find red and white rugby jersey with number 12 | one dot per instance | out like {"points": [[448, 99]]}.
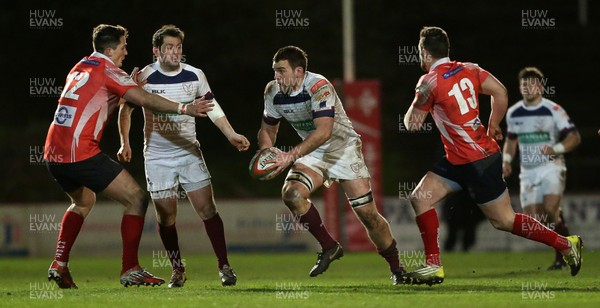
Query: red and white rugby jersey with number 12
{"points": [[91, 94]]}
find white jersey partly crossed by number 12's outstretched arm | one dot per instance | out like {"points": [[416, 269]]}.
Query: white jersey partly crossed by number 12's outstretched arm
{"points": [[172, 135]]}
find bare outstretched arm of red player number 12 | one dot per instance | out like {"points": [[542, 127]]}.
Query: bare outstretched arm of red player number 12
{"points": [[154, 102]]}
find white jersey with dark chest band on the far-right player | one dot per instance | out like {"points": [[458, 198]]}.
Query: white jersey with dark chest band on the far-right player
{"points": [[536, 126]]}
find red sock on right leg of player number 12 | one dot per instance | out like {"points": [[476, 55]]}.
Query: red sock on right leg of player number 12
{"points": [[131, 234]]}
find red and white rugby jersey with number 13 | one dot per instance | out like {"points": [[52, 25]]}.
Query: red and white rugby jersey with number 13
{"points": [[450, 93]]}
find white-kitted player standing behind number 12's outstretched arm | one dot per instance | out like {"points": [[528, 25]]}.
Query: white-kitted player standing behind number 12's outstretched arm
{"points": [[172, 152]]}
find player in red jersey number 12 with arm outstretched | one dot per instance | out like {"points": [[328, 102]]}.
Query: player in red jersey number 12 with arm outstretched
{"points": [[73, 157]]}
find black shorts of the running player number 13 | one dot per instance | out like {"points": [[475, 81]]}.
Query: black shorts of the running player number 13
{"points": [[482, 179]]}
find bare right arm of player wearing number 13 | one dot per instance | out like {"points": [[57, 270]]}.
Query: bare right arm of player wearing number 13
{"points": [[499, 100]]}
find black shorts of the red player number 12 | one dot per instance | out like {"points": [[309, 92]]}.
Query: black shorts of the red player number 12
{"points": [[95, 173]]}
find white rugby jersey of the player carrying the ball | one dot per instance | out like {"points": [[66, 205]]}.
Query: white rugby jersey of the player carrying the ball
{"points": [[315, 98]]}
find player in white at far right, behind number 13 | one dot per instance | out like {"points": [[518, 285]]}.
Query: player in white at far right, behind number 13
{"points": [[544, 132]]}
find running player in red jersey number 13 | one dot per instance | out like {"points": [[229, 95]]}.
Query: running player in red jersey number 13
{"points": [[449, 91]]}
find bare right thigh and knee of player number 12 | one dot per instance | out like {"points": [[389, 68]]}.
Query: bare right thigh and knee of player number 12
{"points": [[125, 190]]}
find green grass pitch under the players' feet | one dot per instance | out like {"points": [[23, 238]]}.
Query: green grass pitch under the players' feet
{"points": [[475, 279]]}
